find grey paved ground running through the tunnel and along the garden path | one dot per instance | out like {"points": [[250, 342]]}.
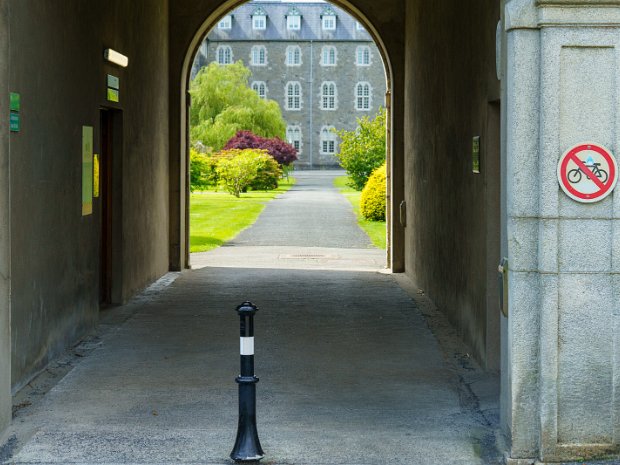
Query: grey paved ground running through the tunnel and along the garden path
{"points": [[353, 369]]}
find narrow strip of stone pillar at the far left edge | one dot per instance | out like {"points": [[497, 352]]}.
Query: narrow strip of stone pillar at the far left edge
{"points": [[5, 328]]}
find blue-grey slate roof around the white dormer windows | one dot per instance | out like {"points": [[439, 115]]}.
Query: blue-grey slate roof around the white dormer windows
{"points": [[311, 13]]}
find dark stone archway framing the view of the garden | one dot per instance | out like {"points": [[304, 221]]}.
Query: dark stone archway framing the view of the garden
{"points": [[183, 58]]}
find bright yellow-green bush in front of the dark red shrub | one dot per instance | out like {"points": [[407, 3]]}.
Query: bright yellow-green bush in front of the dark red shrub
{"points": [[238, 169]]}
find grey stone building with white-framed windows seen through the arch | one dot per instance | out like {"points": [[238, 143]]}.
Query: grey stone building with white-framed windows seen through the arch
{"points": [[314, 59]]}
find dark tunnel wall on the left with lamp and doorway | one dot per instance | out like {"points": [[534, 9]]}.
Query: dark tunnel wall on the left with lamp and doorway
{"points": [[57, 65]]}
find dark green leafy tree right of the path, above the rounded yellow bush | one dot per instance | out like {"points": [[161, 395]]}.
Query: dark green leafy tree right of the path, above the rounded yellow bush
{"points": [[363, 150]]}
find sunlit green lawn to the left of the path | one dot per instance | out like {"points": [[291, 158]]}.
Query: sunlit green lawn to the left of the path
{"points": [[217, 217]]}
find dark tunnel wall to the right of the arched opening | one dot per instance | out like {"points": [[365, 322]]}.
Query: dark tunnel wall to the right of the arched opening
{"points": [[451, 94]]}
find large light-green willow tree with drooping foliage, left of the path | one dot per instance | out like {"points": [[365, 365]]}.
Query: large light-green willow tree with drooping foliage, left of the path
{"points": [[223, 104]]}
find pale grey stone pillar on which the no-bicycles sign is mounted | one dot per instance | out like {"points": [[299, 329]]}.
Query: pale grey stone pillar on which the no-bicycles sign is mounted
{"points": [[563, 331]]}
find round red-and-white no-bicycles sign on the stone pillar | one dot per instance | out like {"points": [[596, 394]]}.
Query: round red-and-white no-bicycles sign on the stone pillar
{"points": [[587, 172]]}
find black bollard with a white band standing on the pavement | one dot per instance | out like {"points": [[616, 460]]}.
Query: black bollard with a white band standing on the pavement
{"points": [[247, 446]]}
